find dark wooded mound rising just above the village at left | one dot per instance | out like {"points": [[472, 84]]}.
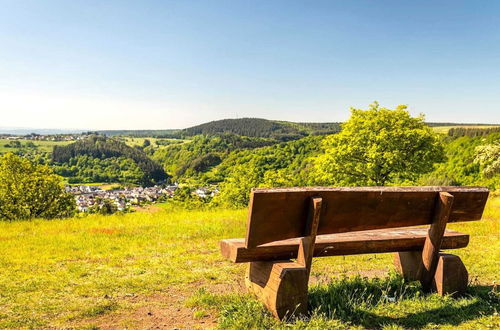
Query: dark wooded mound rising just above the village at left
{"points": [[102, 148]]}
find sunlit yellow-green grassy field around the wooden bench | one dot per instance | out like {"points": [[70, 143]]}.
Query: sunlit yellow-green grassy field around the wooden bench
{"points": [[163, 268]]}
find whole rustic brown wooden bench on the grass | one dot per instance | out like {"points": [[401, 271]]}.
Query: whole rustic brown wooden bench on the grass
{"points": [[283, 224]]}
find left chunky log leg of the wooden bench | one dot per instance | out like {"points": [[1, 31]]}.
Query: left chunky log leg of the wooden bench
{"points": [[280, 285]]}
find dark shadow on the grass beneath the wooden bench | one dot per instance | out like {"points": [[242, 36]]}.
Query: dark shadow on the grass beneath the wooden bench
{"points": [[353, 301]]}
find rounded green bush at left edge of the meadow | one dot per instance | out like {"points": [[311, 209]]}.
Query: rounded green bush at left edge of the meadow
{"points": [[28, 190]]}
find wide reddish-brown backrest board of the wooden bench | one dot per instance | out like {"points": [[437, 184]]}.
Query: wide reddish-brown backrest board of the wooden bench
{"points": [[281, 213]]}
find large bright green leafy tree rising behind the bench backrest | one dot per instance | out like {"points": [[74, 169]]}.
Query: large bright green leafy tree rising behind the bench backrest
{"points": [[378, 146]]}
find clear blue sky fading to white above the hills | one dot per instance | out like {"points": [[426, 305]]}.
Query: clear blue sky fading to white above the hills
{"points": [[170, 64]]}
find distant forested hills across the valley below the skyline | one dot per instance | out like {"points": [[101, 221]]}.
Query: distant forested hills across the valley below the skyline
{"points": [[236, 153]]}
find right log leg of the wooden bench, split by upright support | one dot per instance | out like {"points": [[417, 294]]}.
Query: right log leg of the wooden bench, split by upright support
{"points": [[451, 275]]}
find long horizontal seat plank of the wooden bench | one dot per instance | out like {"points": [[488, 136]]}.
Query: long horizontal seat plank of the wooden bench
{"points": [[373, 241]]}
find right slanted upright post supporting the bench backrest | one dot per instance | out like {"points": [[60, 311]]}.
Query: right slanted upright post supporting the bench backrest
{"points": [[434, 238]]}
